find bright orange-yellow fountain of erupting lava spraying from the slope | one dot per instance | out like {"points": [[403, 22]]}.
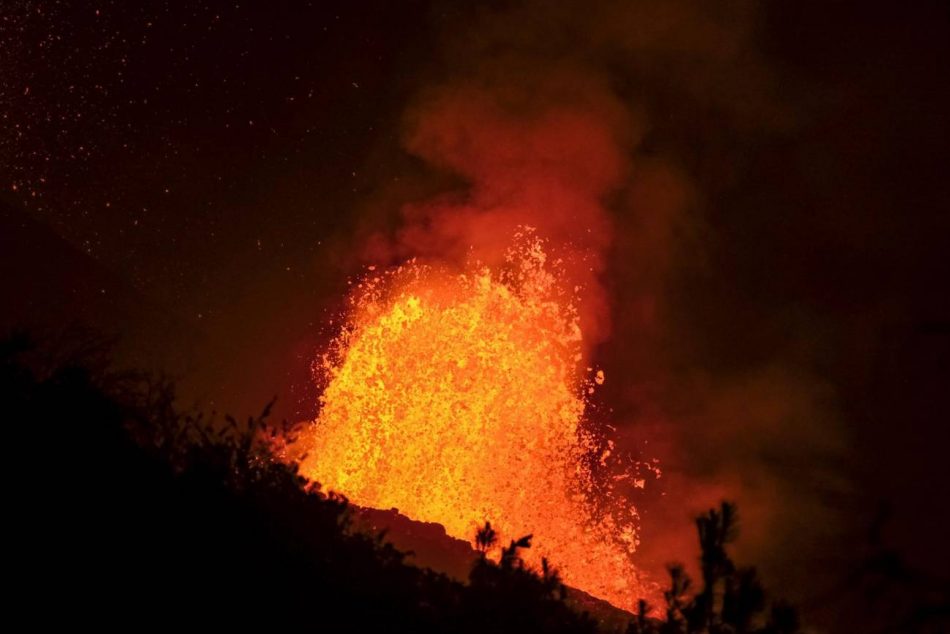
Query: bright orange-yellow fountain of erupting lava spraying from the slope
{"points": [[458, 398]]}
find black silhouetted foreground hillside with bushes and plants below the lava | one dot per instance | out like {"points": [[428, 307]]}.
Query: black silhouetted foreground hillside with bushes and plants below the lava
{"points": [[123, 511]]}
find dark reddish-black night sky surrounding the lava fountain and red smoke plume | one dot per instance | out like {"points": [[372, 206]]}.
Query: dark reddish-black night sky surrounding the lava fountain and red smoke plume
{"points": [[202, 179]]}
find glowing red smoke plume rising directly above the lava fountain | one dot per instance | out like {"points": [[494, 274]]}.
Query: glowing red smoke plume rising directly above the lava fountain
{"points": [[544, 152]]}
